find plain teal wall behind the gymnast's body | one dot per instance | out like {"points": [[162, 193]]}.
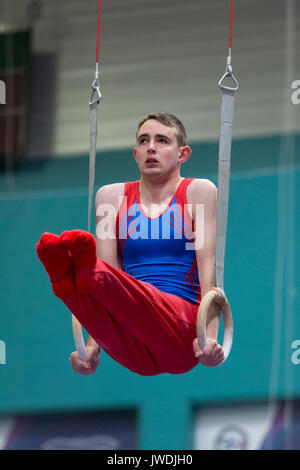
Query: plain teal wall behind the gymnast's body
{"points": [[35, 326]]}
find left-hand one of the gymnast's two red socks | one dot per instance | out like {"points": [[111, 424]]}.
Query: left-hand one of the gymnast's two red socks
{"points": [[58, 264]]}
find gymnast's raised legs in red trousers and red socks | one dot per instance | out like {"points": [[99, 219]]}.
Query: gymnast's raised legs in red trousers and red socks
{"points": [[142, 328]]}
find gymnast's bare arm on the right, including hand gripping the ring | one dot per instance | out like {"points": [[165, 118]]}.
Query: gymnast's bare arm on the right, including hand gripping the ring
{"points": [[202, 194]]}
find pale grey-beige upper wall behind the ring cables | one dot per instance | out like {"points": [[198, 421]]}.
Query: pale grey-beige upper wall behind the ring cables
{"points": [[165, 56]]}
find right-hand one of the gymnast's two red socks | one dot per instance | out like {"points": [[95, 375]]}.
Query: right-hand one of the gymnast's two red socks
{"points": [[82, 246]]}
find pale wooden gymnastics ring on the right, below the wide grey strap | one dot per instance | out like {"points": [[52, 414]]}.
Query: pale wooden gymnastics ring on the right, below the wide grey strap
{"points": [[215, 295]]}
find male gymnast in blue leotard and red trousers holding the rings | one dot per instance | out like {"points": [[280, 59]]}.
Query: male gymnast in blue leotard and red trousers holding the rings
{"points": [[136, 288]]}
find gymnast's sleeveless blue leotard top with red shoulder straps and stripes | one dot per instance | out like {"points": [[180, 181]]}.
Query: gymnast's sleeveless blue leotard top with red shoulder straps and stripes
{"points": [[159, 250]]}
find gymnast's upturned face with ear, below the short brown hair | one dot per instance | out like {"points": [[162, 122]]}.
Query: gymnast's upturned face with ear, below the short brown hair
{"points": [[157, 150]]}
